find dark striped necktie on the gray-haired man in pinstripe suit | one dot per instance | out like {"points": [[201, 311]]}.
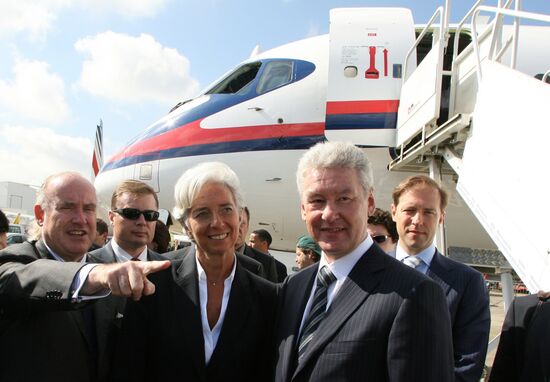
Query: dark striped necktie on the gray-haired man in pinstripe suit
{"points": [[318, 309]]}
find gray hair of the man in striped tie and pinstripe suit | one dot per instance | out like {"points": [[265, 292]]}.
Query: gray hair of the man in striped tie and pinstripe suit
{"points": [[335, 155]]}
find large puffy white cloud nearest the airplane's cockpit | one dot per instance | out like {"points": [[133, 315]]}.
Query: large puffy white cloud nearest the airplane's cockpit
{"points": [[134, 69]]}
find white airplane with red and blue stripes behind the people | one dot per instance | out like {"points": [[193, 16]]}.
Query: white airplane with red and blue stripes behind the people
{"points": [[260, 117]]}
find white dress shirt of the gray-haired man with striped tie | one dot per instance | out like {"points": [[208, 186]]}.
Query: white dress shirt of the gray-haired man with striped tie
{"points": [[341, 269]]}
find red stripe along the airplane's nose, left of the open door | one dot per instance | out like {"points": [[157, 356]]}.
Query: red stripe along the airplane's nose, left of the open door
{"points": [[192, 134]]}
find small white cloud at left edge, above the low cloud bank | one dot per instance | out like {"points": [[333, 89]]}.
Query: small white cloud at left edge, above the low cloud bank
{"points": [[35, 92]]}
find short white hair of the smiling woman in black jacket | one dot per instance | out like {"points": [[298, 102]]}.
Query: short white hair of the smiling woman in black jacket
{"points": [[191, 182]]}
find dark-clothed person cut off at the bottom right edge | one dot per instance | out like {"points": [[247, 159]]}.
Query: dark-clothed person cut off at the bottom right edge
{"points": [[523, 353]]}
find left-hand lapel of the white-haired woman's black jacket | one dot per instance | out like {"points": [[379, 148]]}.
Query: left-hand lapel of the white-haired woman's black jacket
{"points": [[189, 313]]}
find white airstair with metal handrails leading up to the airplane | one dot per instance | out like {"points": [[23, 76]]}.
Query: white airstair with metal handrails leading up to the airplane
{"points": [[493, 138]]}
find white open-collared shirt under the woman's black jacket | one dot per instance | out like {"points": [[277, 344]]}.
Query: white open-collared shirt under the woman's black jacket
{"points": [[211, 336]]}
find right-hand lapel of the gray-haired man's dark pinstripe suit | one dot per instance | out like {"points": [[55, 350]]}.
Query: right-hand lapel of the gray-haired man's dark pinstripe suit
{"points": [[361, 282]]}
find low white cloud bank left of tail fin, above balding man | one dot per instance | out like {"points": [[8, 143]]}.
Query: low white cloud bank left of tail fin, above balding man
{"points": [[29, 155]]}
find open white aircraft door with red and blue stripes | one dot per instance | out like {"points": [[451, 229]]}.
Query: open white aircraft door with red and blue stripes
{"points": [[366, 59]]}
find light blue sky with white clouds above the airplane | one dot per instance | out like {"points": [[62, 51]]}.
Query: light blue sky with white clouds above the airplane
{"points": [[66, 64]]}
